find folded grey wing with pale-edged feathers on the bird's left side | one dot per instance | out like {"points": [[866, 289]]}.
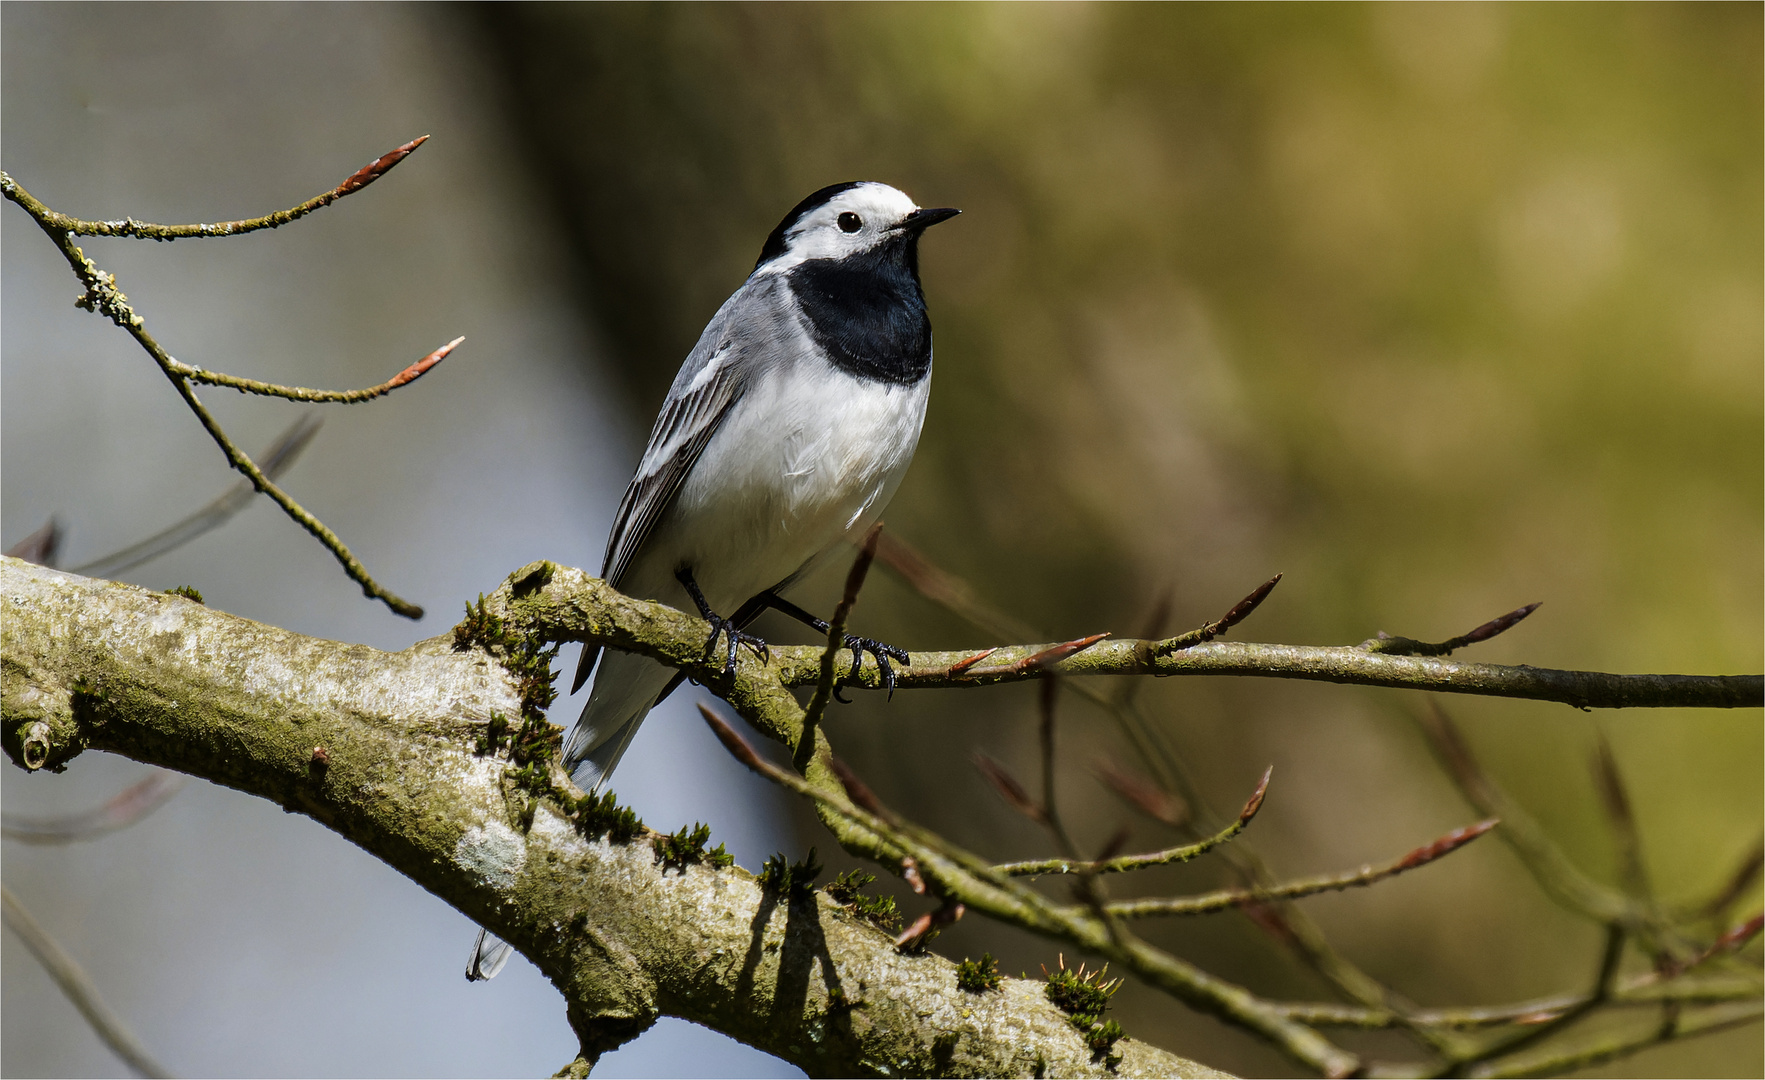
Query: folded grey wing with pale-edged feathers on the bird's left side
{"points": [[696, 405]]}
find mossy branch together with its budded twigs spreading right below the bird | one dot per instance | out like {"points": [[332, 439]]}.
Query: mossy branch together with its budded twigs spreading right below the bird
{"points": [[440, 761]]}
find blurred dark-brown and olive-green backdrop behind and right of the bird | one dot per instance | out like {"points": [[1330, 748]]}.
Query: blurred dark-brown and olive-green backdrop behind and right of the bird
{"points": [[1438, 310]]}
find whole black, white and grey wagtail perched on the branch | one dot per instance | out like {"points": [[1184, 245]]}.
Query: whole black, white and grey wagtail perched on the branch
{"points": [[786, 431]]}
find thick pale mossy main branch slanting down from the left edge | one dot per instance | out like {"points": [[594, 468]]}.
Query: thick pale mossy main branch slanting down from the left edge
{"points": [[89, 664]]}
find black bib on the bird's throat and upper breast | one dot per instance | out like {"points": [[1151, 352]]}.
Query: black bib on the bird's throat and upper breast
{"points": [[867, 311]]}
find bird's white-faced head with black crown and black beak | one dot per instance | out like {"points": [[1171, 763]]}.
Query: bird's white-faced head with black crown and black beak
{"points": [[846, 220]]}
